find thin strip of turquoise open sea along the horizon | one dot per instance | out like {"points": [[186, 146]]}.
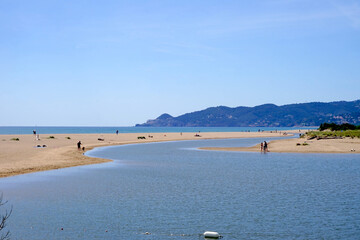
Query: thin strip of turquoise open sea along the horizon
{"points": [[58, 130]]}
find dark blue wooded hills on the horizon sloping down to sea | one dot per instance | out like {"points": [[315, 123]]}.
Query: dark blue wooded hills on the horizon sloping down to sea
{"points": [[267, 115]]}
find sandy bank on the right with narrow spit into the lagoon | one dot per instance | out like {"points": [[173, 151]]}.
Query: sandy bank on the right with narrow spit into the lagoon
{"points": [[299, 145]]}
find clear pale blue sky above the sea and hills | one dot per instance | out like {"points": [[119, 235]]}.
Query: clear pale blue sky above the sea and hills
{"points": [[118, 63]]}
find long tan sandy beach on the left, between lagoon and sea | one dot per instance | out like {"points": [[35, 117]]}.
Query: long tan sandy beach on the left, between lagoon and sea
{"points": [[19, 157]]}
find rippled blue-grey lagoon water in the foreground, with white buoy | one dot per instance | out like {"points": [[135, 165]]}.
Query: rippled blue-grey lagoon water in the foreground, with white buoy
{"points": [[174, 191]]}
